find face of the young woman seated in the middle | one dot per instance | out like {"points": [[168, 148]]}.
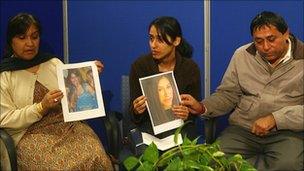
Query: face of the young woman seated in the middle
{"points": [[159, 48]]}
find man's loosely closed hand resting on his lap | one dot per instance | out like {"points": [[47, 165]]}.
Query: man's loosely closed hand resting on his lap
{"points": [[263, 125]]}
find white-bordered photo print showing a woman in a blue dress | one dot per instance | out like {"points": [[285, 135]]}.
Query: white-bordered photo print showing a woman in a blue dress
{"points": [[80, 85]]}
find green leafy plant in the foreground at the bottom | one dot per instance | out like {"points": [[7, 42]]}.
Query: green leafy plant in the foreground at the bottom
{"points": [[187, 156]]}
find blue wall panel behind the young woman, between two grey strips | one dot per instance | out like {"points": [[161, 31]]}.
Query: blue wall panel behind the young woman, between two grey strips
{"points": [[116, 32]]}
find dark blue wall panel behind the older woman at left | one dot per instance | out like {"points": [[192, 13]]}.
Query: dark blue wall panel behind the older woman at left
{"points": [[48, 12]]}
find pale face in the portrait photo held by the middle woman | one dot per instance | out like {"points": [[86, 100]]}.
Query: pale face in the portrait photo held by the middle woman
{"points": [[165, 93]]}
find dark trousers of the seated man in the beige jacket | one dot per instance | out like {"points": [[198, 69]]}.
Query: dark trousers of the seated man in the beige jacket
{"points": [[279, 150]]}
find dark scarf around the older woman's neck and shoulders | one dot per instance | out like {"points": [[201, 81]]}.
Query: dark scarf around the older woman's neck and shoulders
{"points": [[13, 63]]}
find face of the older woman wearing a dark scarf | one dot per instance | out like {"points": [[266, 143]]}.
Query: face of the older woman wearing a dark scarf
{"points": [[26, 46]]}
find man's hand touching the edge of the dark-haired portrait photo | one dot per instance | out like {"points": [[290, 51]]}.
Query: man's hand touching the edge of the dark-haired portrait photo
{"points": [[193, 105]]}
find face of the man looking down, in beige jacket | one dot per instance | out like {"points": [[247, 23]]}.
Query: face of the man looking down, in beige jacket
{"points": [[270, 43]]}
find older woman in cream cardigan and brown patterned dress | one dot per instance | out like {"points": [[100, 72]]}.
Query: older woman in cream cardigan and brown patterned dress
{"points": [[31, 111]]}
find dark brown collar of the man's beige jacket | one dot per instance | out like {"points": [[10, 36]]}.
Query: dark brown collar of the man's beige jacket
{"points": [[297, 48]]}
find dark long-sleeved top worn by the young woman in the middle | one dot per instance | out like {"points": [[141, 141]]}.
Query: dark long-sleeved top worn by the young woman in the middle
{"points": [[188, 80]]}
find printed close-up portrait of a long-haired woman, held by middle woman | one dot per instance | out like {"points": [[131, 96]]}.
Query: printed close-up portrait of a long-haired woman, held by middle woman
{"points": [[162, 93]]}
